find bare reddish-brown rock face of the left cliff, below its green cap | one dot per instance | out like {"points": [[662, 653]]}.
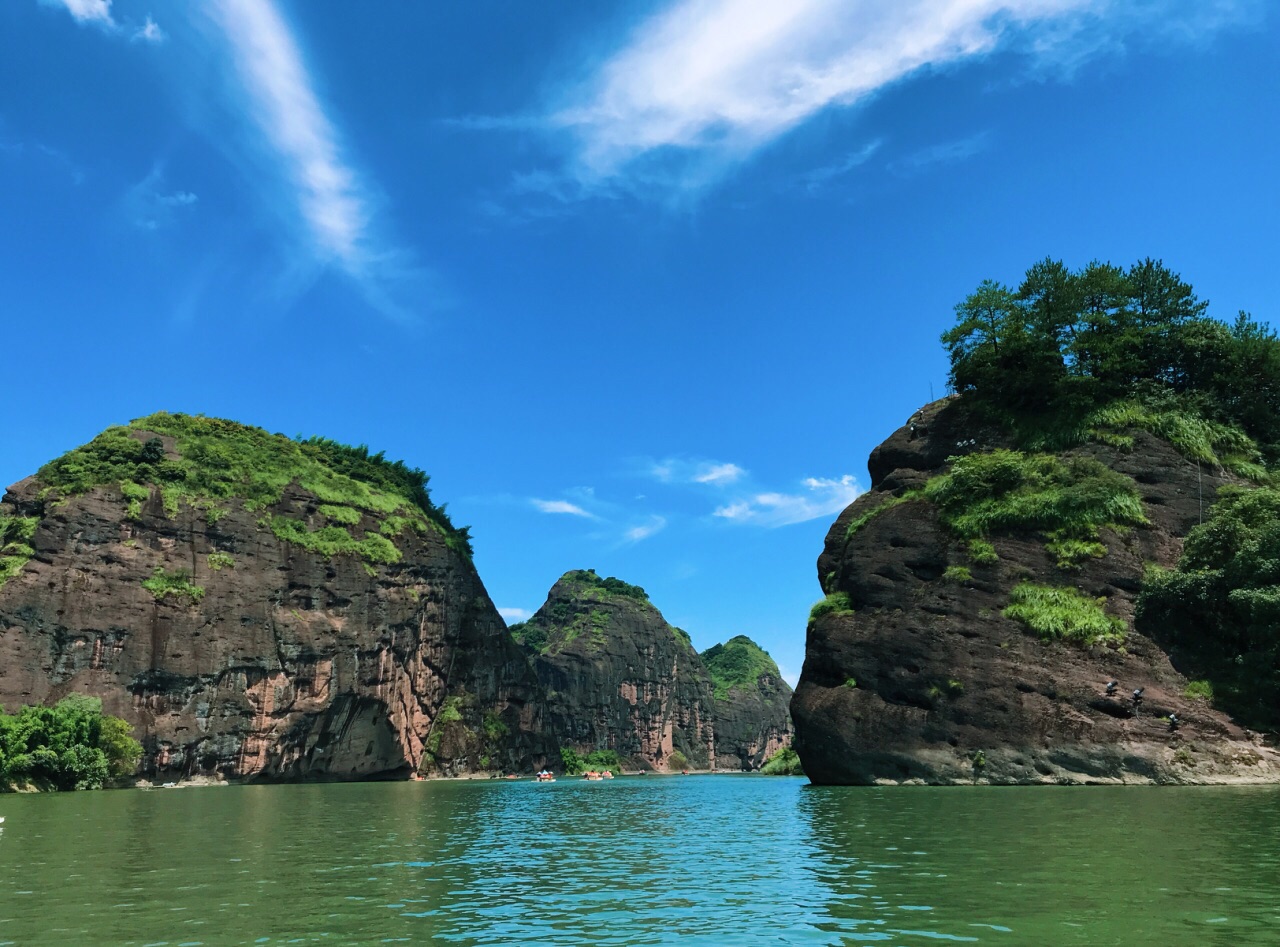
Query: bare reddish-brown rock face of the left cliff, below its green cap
{"points": [[289, 666]]}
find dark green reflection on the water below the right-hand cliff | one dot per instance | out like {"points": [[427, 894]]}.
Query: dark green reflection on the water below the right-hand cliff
{"points": [[1089, 866]]}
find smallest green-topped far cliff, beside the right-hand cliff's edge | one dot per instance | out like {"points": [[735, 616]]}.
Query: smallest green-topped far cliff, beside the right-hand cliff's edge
{"points": [[753, 721]]}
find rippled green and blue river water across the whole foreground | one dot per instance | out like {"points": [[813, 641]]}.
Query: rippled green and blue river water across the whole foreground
{"points": [[692, 861]]}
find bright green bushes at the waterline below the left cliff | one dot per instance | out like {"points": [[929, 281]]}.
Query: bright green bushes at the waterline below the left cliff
{"points": [[72, 745]]}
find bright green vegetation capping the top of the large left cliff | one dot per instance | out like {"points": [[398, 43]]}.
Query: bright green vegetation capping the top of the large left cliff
{"points": [[220, 461]]}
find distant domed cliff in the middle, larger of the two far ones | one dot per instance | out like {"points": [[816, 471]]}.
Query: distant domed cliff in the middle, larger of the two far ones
{"points": [[618, 676]]}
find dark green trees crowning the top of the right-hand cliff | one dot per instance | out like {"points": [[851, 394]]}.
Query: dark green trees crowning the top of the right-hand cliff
{"points": [[1068, 342]]}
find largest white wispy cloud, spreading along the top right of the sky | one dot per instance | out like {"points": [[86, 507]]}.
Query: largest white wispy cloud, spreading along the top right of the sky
{"points": [[716, 80]]}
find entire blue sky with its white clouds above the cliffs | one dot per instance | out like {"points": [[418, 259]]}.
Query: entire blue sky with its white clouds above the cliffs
{"points": [[639, 285]]}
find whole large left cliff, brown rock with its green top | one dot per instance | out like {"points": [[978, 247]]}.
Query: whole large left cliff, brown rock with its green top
{"points": [[259, 609]]}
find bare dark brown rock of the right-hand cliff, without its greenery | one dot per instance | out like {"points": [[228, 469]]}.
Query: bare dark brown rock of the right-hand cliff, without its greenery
{"points": [[926, 680]]}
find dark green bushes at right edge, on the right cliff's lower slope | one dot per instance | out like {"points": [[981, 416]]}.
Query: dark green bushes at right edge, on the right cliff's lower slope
{"points": [[1220, 609]]}
